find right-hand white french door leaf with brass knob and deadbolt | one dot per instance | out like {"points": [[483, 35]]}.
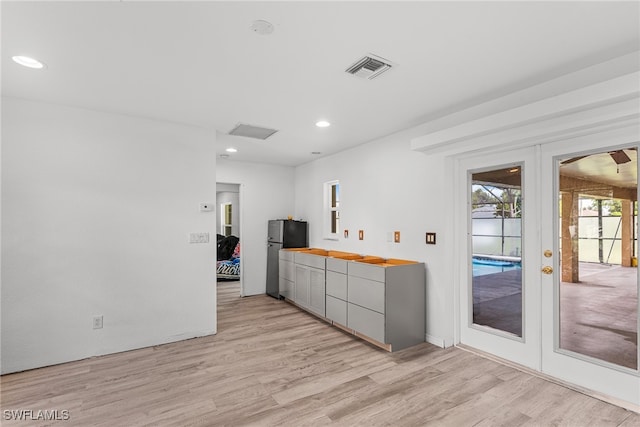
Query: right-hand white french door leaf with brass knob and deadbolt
{"points": [[589, 234]]}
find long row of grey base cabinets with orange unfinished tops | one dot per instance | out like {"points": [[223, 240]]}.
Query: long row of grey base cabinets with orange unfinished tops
{"points": [[382, 301]]}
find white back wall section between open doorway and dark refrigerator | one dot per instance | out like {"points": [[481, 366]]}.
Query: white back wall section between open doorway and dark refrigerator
{"points": [[266, 192]]}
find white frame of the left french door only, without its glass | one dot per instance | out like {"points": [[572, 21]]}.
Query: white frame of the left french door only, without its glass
{"points": [[525, 349]]}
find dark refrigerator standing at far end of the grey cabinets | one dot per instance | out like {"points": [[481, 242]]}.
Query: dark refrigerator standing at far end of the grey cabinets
{"points": [[283, 233]]}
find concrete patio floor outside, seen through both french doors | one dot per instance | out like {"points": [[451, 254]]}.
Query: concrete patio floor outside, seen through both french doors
{"points": [[598, 315]]}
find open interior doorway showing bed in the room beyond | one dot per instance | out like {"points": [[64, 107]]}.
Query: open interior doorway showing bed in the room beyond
{"points": [[229, 237]]}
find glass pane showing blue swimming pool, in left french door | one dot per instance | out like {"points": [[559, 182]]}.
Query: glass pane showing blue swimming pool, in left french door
{"points": [[496, 241]]}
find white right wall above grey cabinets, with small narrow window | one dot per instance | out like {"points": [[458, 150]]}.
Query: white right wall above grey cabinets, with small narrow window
{"points": [[386, 187]]}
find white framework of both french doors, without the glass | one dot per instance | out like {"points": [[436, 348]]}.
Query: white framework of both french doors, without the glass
{"points": [[615, 384]]}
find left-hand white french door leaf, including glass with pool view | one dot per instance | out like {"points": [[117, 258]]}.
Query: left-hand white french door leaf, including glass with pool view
{"points": [[500, 294]]}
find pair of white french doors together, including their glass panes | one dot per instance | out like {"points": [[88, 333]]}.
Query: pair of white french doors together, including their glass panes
{"points": [[547, 262]]}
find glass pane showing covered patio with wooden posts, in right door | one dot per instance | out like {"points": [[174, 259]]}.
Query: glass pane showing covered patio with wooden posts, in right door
{"points": [[598, 280]]}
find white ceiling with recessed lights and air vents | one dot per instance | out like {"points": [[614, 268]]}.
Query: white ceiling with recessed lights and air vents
{"points": [[199, 63]]}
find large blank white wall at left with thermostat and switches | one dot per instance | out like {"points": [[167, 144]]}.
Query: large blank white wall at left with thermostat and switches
{"points": [[96, 210]]}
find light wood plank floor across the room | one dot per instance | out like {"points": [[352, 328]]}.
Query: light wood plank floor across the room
{"points": [[271, 364]]}
